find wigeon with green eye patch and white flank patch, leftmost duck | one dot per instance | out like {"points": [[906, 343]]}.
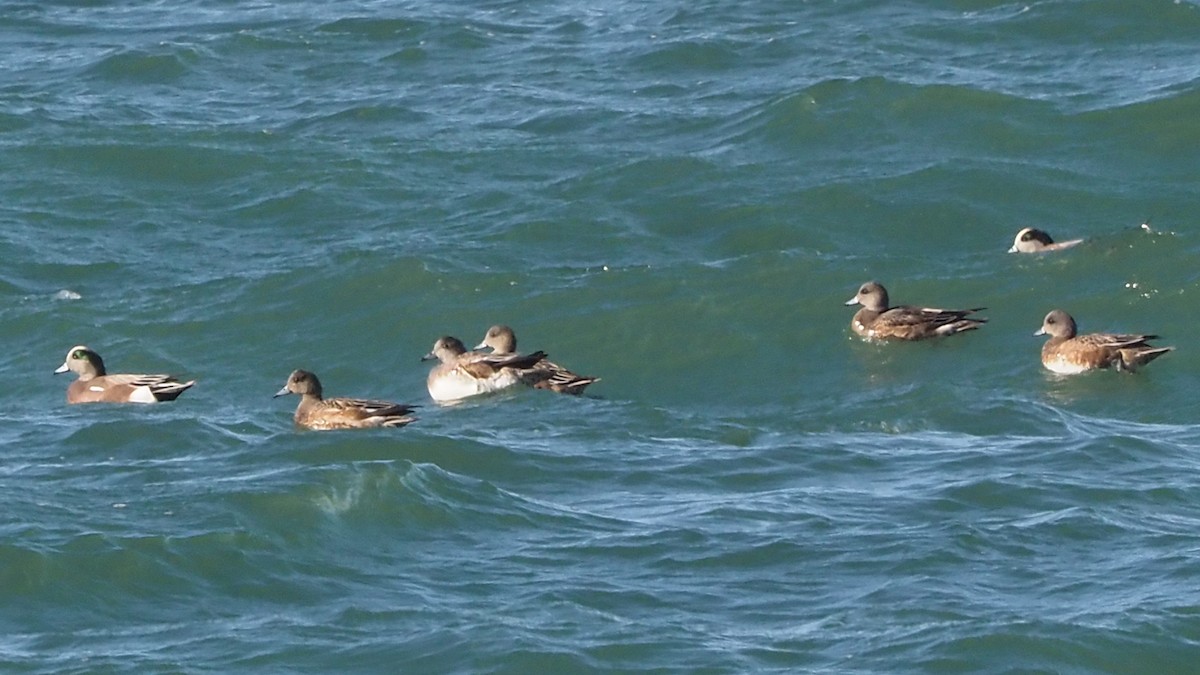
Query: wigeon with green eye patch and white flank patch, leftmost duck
{"points": [[97, 386]]}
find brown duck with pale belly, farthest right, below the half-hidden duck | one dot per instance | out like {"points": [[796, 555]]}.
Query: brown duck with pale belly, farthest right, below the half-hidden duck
{"points": [[1069, 354]]}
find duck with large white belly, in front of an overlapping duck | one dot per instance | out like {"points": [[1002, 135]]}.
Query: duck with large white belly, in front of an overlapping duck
{"points": [[465, 374]]}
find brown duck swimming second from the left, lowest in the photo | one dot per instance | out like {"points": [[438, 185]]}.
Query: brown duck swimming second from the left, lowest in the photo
{"points": [[317, 413]]}
